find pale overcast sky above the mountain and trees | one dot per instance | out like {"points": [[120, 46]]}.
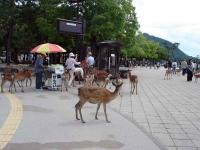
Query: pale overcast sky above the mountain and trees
{"points": [[177, 21]]}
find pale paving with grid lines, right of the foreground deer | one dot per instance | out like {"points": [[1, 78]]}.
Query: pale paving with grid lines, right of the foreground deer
{"points": [[168, 110]]}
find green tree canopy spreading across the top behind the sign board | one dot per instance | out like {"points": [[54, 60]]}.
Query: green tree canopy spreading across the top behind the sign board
{"points": [[27, 23]]}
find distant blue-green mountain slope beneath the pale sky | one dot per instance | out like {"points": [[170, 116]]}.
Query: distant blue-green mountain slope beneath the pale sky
{"points": [[174, 52]]}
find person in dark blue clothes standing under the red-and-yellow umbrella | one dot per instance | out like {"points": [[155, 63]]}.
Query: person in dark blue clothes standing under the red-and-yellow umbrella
{"points": [[39, 69]]}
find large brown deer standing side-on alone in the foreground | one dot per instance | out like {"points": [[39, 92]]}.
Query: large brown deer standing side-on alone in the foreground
{"points": [[96, 95]]}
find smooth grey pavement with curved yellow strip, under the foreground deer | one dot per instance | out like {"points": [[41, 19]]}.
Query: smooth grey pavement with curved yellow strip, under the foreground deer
{"points": [[48, 122]]}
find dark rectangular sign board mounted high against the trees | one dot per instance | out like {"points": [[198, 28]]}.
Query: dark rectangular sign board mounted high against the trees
{"points": [[70, 26]]}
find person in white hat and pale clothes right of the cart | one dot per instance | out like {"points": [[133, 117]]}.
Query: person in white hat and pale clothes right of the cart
{"points": [[70, 66]]}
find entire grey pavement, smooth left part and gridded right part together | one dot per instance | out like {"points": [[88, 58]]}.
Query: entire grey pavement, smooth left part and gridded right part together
{"points": [[164, 115]]}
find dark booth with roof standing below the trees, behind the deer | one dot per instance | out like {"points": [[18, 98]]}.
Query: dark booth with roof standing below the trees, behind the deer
{"points": [[107, 56]]}
